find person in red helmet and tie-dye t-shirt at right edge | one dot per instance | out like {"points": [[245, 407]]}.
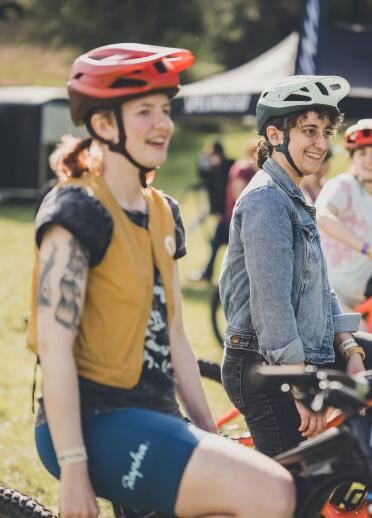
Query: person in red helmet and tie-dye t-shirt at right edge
{"points": [[344, 214]]}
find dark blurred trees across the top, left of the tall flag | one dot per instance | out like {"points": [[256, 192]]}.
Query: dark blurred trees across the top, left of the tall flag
{"points": [[227, 32]]}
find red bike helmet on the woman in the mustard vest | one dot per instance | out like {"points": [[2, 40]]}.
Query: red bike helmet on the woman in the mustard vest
{"points": [[107, 76]]}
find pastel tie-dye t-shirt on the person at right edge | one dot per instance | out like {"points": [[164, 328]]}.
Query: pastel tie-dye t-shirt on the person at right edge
{"points": [[348, 269]]}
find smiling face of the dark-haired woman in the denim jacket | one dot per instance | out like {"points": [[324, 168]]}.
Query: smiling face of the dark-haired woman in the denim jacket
{"points": [[309, 142]]}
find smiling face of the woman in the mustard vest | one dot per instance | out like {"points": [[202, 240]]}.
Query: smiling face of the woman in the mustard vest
{"points": [[148, 128]]}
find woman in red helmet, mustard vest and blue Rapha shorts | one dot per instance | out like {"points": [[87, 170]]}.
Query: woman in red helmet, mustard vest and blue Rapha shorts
{"points": [[106, 316]]}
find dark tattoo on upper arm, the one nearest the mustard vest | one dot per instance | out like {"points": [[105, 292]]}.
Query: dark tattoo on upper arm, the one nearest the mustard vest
{"points": [[68, 310]]}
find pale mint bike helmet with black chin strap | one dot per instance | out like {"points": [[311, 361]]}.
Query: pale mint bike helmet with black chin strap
{"points": [[298, 93]]}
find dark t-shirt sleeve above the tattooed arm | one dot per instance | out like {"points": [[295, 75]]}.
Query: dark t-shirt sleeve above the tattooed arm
{"points": [[81, 214]]}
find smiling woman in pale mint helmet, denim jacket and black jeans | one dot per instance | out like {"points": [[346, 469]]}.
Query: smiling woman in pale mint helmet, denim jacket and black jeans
{"points": [[274, 285]]}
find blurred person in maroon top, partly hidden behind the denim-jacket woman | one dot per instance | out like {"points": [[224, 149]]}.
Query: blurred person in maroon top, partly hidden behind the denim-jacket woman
{"points": [[240, 174]]}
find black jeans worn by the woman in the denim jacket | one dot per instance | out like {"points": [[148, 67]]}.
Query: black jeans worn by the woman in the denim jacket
{"points": [[272, 417]]}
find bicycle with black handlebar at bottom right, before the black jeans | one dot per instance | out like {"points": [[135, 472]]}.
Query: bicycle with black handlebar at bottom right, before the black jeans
{"points": [[339, 456]]}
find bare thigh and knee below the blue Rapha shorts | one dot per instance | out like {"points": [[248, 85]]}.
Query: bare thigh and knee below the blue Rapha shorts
{"points": [[223, 477]]}
